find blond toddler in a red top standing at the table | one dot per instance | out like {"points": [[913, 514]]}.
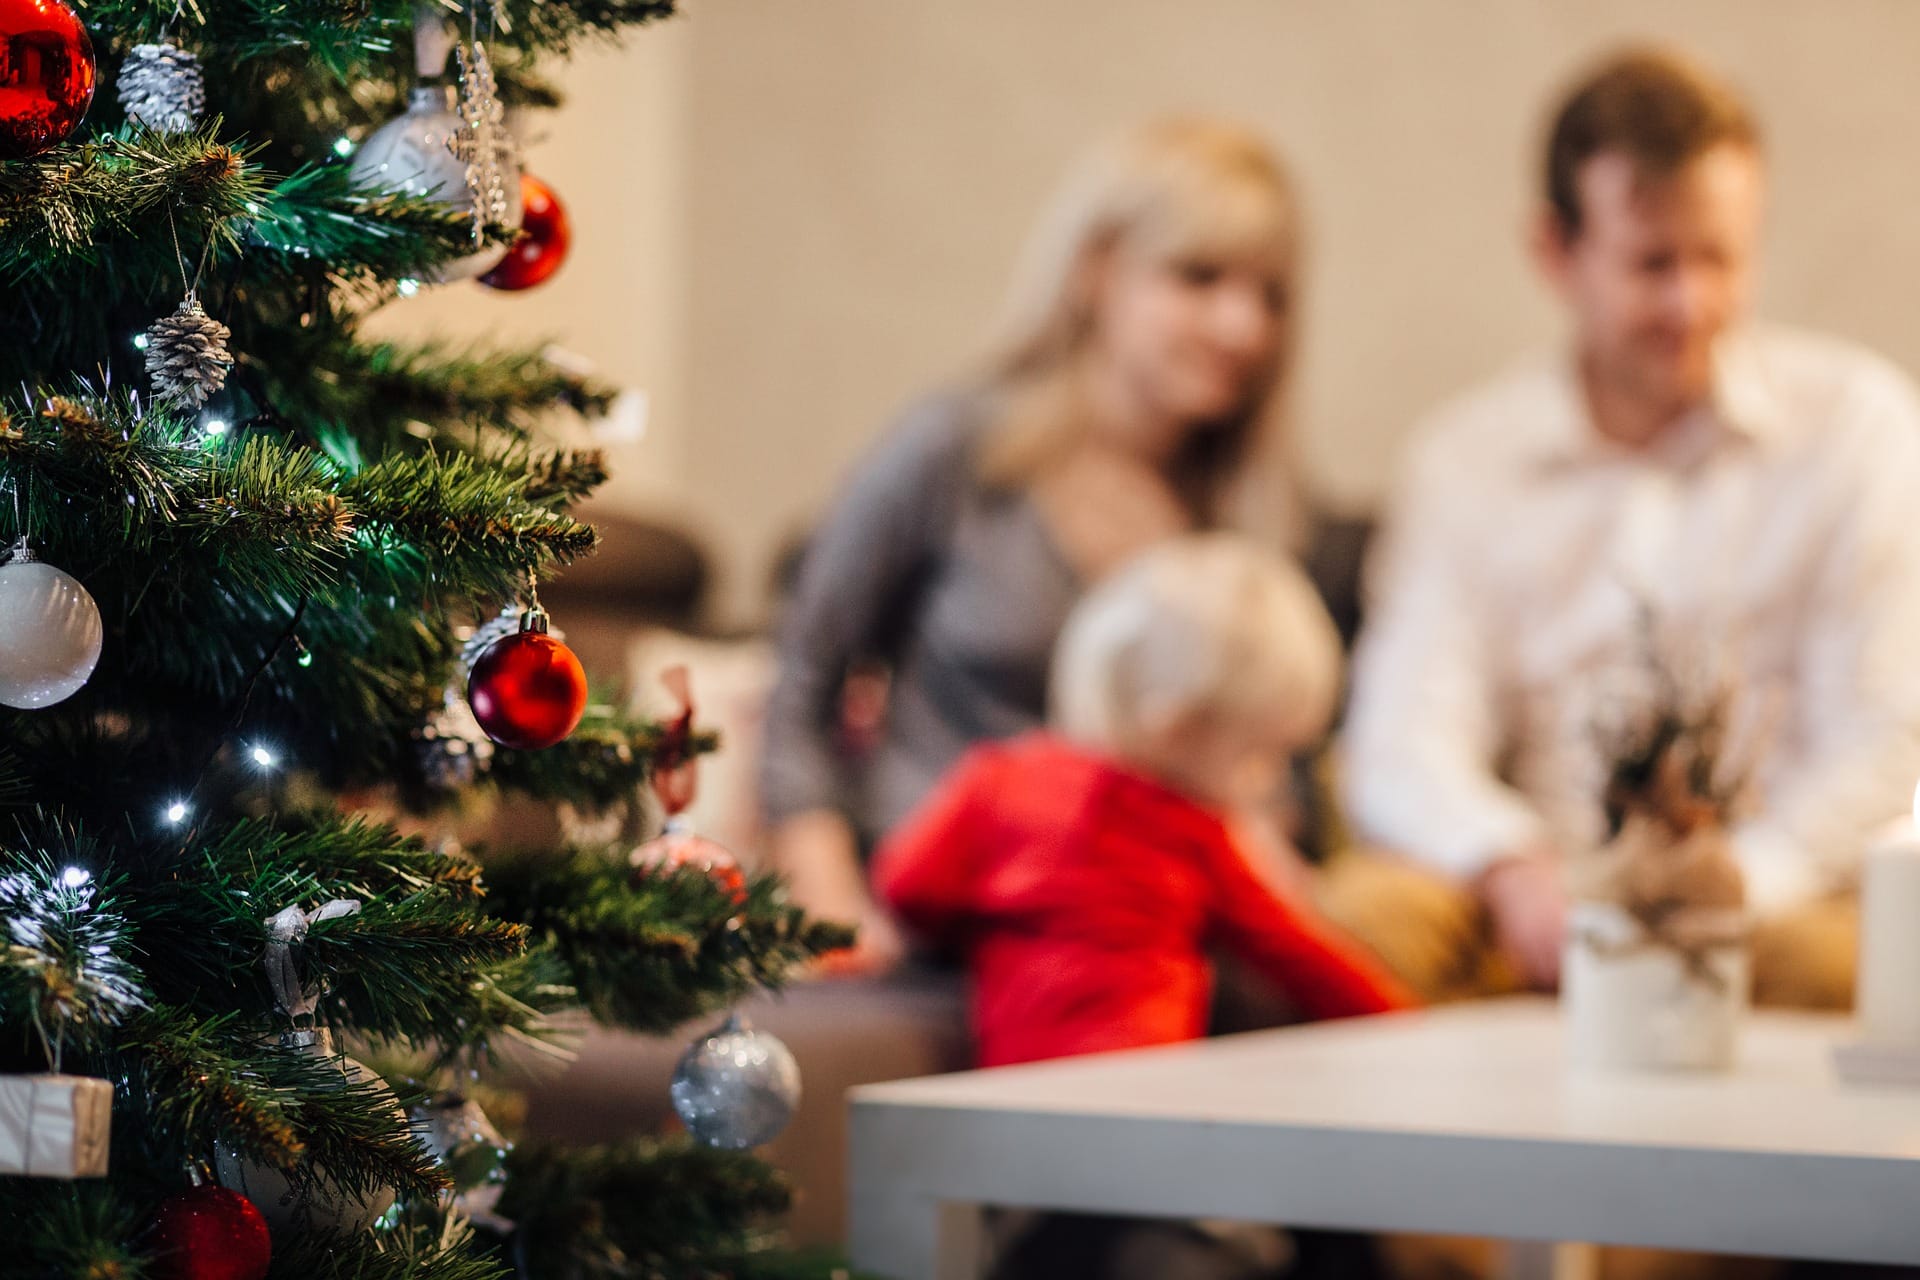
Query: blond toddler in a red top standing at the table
{"points": [[1086, 870]]}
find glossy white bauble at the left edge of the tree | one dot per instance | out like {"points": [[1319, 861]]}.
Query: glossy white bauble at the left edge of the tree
{"points": [[49, 632]]}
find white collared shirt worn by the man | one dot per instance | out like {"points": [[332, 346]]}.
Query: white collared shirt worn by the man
{"points": [[1773, 542]]}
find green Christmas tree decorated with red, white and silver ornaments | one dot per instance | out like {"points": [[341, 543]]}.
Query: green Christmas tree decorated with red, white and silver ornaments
{"points": [[268, 573]]}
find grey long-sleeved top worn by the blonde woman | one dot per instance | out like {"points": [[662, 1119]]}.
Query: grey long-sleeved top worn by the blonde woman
{"points": [[957, 588]]}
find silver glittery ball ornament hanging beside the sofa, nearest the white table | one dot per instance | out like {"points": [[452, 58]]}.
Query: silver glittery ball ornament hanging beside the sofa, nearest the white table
{"points": [[736, 1087]]}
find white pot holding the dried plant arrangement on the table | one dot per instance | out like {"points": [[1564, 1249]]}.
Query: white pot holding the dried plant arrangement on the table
{"points": [[1633, 1005]]}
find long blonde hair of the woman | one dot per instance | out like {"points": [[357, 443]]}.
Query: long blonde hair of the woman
{"points": [[1172, 191]]}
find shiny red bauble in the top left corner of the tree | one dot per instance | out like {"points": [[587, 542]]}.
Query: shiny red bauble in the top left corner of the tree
{"points": [[47, 76]]}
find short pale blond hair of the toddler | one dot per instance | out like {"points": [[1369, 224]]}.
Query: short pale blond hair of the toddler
{"points": [[1205, 627]]}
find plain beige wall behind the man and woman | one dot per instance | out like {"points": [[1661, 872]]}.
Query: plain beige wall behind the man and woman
{"points": [[825, 199]]}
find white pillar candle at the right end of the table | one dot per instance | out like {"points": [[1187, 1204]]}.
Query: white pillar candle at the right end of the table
{"points": [[1888, 999]]}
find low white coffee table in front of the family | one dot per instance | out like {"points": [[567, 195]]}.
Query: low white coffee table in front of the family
{"points": [[1456, 1122]]}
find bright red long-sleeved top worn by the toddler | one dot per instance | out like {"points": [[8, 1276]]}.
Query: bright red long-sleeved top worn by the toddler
{"points": [[1086, 895]]}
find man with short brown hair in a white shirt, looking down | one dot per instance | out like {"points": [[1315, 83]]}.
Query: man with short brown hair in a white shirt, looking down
{"points": [[1748, 490]]}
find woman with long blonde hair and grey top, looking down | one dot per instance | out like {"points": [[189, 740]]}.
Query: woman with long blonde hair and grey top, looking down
{"points": [[1136, 394]]}
